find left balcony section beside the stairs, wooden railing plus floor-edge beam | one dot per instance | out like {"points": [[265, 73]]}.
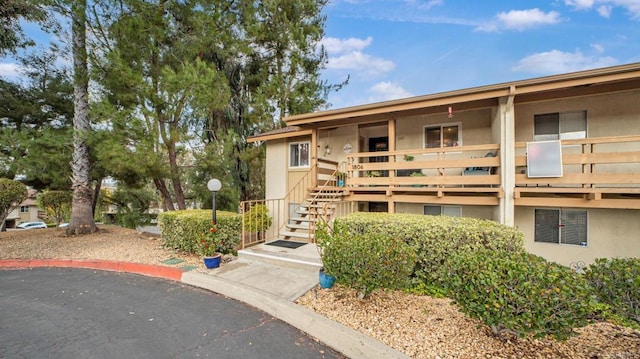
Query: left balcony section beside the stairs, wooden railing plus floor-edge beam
{"points": [[472, 172]]}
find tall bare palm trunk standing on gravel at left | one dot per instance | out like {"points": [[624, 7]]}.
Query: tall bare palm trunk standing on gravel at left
{"points": [[81, 208]]}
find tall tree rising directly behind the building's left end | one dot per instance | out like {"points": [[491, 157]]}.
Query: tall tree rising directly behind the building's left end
{"points": [[273, 72]]}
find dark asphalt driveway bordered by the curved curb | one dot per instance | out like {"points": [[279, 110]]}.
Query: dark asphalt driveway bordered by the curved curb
{"points": [[80, 313]]}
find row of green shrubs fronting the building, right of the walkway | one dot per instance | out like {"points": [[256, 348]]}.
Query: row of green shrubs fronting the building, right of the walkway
{"points": [[483, 267]]}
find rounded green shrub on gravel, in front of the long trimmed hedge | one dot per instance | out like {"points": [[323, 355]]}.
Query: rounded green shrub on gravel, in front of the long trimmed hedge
{"points": [[518, 292]]}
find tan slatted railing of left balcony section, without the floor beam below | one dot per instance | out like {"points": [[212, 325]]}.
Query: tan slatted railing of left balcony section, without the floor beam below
{"points": [[464, 166]]}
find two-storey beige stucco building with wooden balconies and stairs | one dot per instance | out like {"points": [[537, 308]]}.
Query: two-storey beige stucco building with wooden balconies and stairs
{"points": [[557, 157]]}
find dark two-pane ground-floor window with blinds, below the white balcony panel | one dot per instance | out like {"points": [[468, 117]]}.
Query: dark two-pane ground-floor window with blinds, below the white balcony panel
{"points": [[561, 226]]}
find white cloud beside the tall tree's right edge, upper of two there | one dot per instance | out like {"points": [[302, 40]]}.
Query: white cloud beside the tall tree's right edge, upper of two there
{"points": [[347, 54]]}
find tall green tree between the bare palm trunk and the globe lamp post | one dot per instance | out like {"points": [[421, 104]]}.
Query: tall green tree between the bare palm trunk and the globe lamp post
{"points": [[154, 75]]}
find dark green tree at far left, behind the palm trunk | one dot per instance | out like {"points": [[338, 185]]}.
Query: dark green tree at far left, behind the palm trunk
{"points": [[36, 124]]}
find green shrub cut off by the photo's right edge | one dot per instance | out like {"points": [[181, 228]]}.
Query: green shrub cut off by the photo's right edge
{"points": [[616, 283]]}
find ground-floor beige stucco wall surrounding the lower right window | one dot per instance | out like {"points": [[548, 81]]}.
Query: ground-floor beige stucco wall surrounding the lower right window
{"points": [[611, 233]]}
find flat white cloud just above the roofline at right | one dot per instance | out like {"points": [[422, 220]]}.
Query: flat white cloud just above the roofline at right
{"points": [[556, 61]]}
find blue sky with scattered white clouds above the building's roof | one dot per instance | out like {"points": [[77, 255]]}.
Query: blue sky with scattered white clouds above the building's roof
{"points": [[401, 48]]}
